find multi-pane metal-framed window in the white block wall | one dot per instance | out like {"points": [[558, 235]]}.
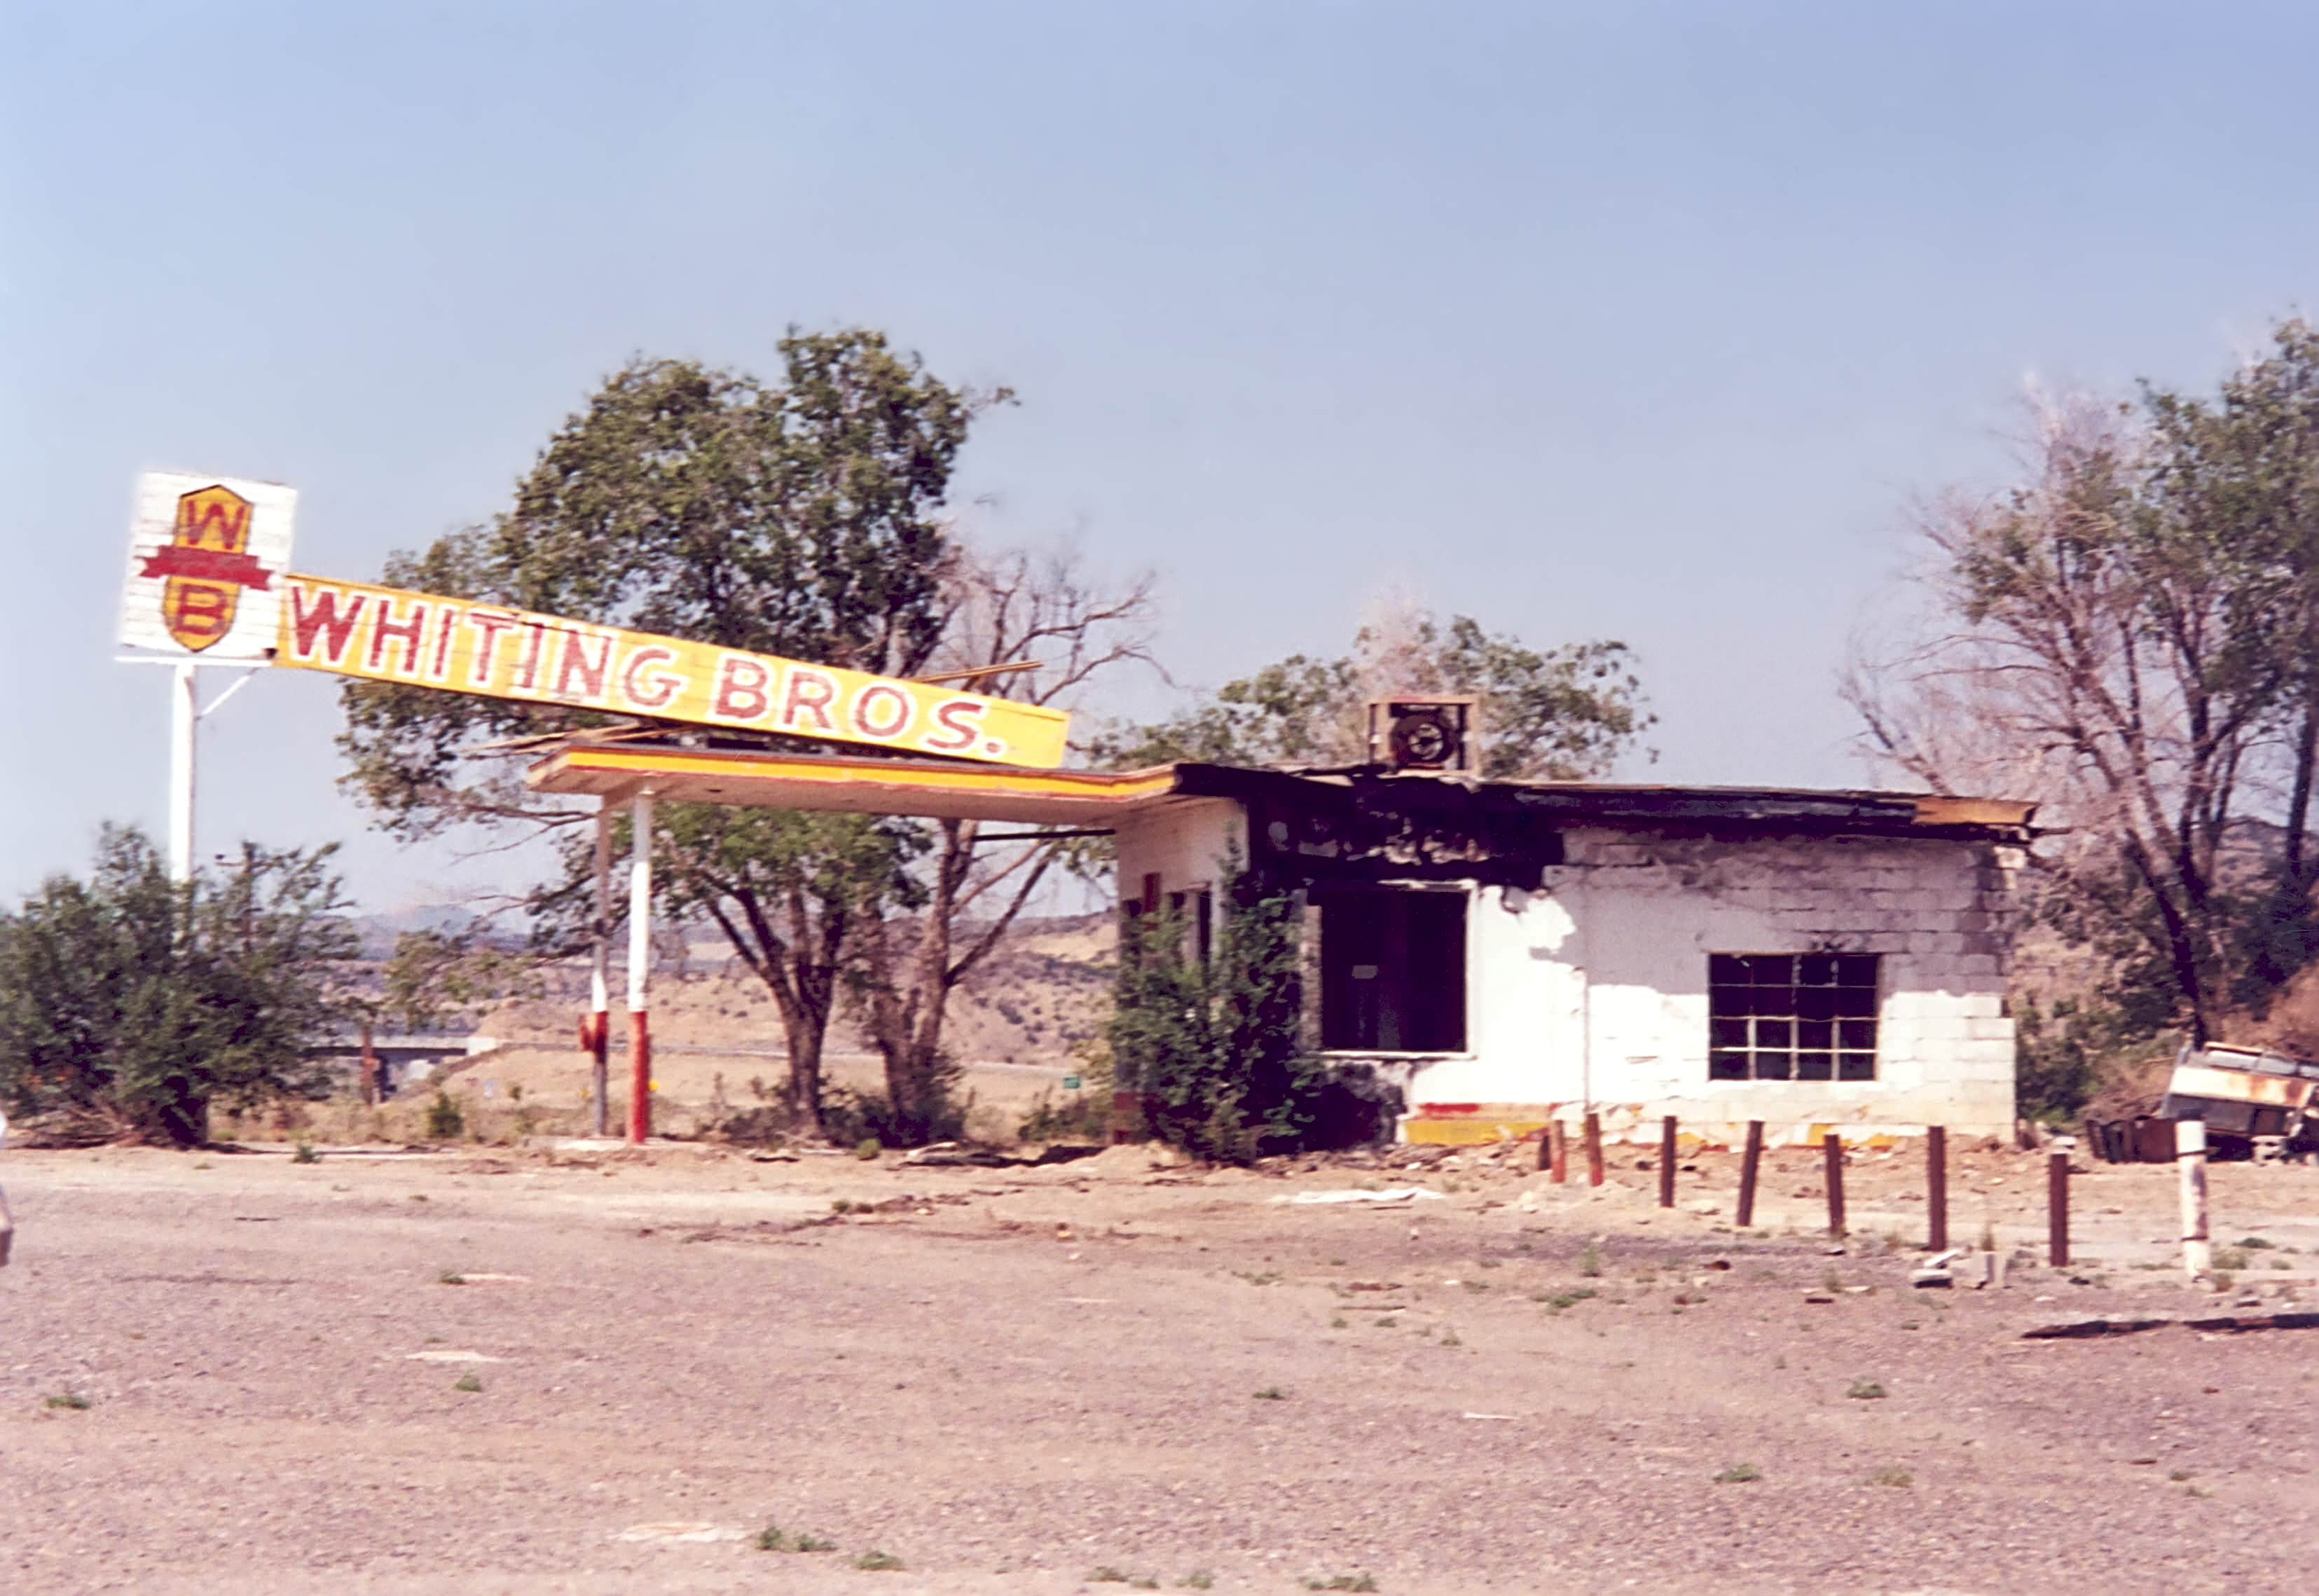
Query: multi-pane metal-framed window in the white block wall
{"points": [[1791, 1017]]}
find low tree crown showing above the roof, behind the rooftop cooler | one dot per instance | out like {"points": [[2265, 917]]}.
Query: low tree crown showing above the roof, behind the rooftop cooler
{"points": [[1562, 713]]}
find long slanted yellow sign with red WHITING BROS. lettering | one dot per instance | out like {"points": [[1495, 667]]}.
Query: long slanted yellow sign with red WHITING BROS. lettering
{"points": [[386, 634]]}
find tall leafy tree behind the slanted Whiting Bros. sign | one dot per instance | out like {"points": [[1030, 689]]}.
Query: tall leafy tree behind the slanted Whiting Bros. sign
{"points": [[799, 518]]}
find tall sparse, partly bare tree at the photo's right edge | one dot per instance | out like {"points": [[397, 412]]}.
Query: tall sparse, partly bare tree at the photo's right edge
{"points": [[2130, 632]]}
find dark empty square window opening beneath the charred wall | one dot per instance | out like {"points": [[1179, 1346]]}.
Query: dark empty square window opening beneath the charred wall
{"points": [[1393, 971]]}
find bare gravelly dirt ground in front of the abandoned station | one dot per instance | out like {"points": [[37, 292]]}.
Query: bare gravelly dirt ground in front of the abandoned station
{"points": [[609, 1372]]}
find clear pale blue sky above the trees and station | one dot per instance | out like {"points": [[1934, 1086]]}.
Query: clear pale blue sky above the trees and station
{"points": [[1592, 321]]}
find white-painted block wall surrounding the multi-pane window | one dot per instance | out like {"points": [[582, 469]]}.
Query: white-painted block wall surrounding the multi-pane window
{"points": [[1597, 987]]}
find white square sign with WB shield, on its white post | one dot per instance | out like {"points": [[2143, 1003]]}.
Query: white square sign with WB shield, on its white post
{"points": [[205, 586]]}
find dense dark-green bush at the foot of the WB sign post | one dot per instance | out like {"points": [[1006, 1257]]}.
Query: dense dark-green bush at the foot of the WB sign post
{"points": [[131, 1003]]}
